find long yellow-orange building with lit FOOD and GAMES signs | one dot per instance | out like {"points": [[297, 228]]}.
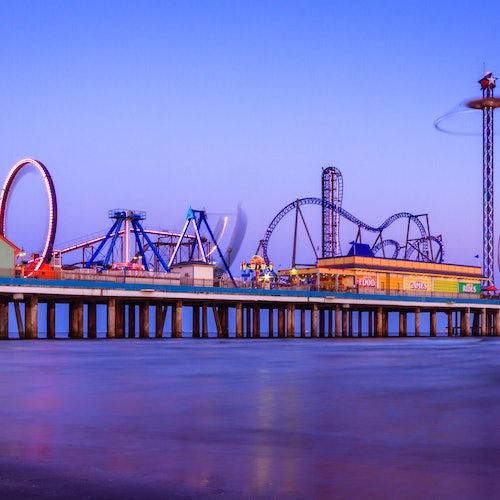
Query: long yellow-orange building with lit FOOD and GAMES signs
{"points": [[383, 275]]}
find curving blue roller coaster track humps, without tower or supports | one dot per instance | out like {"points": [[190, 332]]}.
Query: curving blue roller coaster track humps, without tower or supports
{"points": [[424, 239]]}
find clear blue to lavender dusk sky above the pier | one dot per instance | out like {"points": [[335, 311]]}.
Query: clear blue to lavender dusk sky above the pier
{"points": [[158, 106]]}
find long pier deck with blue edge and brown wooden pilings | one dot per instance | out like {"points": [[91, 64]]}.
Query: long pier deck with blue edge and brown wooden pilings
{"points": [[40, 308]]}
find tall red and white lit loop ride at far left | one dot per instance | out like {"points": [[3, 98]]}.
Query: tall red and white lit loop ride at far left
{"points": [[51, 197]]}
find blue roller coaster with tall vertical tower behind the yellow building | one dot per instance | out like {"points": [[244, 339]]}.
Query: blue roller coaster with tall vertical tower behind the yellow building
{"points": [[424, 247]]}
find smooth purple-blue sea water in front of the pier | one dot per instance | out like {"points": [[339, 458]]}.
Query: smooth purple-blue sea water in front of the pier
{"points": [[377, 418]]}
